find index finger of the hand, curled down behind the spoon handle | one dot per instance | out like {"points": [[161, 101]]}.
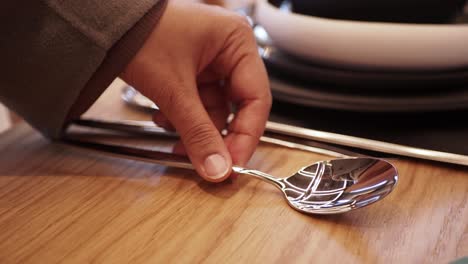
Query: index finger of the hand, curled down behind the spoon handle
{"points": [[249, 89]]}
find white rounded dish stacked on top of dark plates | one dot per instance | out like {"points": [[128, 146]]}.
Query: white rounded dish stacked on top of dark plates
{"points": [[375, 45]]}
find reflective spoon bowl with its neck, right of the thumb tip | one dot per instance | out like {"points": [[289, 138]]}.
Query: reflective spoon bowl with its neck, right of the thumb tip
{"points": [[335, 186]]}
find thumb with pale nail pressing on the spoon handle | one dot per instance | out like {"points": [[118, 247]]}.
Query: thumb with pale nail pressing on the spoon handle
{"points": [[202, 141]]}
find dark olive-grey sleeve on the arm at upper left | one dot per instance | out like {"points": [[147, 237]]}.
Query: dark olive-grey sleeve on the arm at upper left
{"points": [[51, 50]]}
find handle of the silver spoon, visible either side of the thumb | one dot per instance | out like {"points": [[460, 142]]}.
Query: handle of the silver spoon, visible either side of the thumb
{"points": [[161, 158]]}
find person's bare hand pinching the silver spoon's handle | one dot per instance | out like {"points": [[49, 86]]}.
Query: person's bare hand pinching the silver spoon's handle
{"points": [[198, 61]]}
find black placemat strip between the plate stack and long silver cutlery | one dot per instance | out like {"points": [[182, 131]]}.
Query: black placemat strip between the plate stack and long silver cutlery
{"points": [[439, 131]]}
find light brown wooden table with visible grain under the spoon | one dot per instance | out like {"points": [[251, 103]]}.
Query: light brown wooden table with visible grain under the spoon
{"points": [[61, 204]]}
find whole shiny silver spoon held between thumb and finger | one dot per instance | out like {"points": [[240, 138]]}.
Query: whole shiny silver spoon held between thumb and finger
{"points": [[325, 187]]}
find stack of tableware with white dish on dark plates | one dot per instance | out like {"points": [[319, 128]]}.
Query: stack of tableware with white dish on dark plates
{"points": [[365, 66]]}
